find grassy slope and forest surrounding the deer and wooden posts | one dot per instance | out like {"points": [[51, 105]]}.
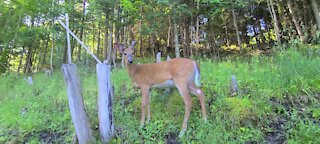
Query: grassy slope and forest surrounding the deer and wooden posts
{"points": [[271, 46]]}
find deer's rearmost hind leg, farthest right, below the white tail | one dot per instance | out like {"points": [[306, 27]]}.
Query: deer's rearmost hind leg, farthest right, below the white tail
{"points": [[199, 93]]}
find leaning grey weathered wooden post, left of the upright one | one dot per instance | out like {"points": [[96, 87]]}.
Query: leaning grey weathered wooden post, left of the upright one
{"points": [[77, 111]]}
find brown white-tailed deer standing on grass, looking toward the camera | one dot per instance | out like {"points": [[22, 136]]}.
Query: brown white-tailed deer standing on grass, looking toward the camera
{"points": [[182, 73]]}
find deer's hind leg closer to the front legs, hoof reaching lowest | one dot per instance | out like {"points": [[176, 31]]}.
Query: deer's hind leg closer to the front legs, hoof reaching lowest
{"points": [[188, 104]]}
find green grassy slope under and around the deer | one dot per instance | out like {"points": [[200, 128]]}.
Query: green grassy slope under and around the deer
{"points": [[278, 101]]}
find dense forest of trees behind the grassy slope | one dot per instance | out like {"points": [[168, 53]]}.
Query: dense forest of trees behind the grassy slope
{"points": [[29, 29]]}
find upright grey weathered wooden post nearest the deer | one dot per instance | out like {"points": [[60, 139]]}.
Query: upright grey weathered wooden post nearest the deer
{"points": [[105, 94]]}
